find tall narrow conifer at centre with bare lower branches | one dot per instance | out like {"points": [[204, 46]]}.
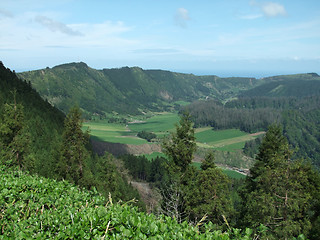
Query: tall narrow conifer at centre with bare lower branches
{"points": [[179, 148]]}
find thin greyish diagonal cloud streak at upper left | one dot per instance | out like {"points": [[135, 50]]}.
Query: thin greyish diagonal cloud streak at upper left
{"points": [[55, 26]]}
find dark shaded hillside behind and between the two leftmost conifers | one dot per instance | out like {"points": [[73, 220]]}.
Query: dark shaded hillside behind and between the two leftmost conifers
{"points": [[42, 122]]}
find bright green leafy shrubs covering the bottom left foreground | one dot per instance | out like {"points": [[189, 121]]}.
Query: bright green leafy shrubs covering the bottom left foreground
{"points": [[39, 208]]}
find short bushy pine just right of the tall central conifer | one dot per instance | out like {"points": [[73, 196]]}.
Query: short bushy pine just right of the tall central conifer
{"points": [[208, 193]]}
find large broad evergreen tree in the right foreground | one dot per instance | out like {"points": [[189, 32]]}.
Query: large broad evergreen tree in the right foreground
{"points": [[278, 192]]}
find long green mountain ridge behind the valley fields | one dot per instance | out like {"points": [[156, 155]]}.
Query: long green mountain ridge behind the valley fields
{"points": [[128, 90]]}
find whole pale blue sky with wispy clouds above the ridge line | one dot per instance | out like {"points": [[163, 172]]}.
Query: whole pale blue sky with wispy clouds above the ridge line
{"points": [[218, 37]]}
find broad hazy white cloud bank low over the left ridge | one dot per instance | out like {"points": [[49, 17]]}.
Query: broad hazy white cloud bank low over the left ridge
{"points": [[32, 30]]}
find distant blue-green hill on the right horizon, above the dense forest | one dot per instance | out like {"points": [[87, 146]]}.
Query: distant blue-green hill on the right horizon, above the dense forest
{"points": [[298, 85]]}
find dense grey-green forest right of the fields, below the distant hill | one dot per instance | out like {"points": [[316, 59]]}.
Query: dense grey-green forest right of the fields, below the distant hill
{"points": [[299, 118]]}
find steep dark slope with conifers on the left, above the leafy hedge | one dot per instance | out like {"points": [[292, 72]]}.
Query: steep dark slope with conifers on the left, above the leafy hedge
{"points": [[38, 138]]}
